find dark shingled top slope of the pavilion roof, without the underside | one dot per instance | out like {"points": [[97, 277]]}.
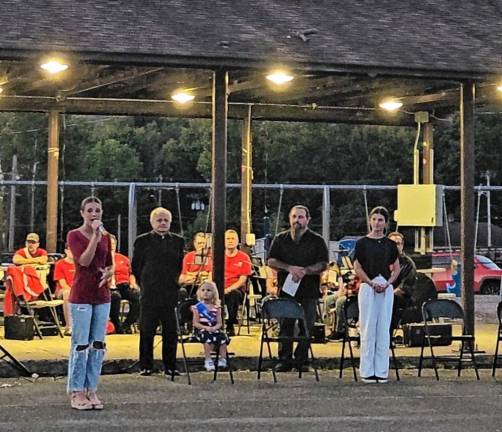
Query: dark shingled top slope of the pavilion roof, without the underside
{"points": [[430, 35]]}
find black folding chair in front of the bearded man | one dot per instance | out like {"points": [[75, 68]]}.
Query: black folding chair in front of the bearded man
{"points": [[277, 309]]}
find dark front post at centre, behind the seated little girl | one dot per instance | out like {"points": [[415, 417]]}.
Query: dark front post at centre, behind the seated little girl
{"points": [[219, 176]]}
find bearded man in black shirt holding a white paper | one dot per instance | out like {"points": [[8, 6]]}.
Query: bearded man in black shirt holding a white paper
{"points": [[302, 253]]}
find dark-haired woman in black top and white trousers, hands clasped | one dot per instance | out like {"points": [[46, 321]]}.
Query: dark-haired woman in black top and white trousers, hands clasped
{"points": [[376, 263]]}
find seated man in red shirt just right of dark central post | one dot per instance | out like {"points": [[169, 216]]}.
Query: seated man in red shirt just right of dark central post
{"points": [[237, 269]]}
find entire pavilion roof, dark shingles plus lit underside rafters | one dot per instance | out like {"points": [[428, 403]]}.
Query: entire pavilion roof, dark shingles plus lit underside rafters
{"points": [[346, 54]]}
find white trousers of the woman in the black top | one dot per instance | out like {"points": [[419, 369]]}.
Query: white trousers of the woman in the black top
{"points": [[375, 315]]}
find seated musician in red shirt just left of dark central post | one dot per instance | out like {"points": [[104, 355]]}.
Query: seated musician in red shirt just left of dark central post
{"points": [[197, 266]]}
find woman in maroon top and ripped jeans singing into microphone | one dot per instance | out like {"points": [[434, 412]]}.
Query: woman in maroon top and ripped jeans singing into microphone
{"points": [[90, 305]]}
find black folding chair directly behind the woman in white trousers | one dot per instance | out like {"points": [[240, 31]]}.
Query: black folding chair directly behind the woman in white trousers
{"points": [[350, 314]]}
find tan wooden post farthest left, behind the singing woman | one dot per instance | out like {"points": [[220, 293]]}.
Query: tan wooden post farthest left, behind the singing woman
{"points": [[52, 183]]}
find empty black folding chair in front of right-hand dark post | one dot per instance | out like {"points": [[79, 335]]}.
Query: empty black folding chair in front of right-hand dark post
{"points": [[446, 311]]}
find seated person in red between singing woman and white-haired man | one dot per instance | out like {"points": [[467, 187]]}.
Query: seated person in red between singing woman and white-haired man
{"points": [[124, 287]]}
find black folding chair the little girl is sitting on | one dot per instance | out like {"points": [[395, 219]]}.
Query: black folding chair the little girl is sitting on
{"points": [[184, 320]]}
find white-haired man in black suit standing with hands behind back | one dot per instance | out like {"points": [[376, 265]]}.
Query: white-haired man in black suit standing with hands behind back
{"points": [[156, 264]]}
